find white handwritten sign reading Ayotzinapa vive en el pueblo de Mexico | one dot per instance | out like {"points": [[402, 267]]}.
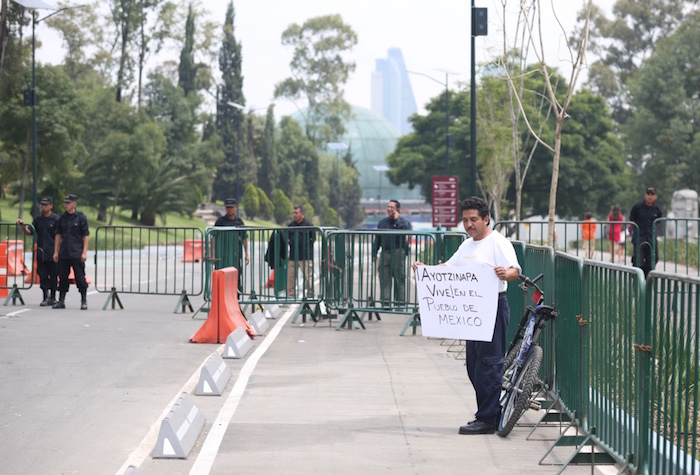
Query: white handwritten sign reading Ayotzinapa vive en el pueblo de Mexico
{"points": [[458, 302]]}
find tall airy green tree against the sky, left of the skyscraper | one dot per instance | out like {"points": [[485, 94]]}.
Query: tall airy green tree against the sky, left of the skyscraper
{"points": [[319, 74]]}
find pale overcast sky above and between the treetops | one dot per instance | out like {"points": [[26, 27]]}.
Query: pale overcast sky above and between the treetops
{"points": [[434, 36]]}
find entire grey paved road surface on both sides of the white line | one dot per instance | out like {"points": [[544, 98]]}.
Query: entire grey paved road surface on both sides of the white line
{"points": [[84, 393]]}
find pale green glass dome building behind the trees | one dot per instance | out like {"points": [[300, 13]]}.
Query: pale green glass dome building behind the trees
{"points": [[371, 139]]}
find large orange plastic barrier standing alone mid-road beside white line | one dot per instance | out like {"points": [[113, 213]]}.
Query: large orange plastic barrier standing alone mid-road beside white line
{"points": [[225, 314]]}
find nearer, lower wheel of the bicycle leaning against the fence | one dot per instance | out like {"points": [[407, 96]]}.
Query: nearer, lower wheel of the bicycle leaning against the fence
{"points": [[518, 399]]}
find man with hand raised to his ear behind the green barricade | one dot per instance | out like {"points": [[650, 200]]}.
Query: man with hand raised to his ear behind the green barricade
{"points": [[392, 264]]}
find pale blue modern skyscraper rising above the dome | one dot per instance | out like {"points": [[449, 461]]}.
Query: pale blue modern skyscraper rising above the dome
{"points": [[392, 96]]}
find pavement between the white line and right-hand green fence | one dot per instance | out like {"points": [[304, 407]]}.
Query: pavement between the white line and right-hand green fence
{"points": [[360, 401]]}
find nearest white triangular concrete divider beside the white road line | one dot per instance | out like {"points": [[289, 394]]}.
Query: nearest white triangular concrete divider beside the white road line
{"points": [[179, 430]]}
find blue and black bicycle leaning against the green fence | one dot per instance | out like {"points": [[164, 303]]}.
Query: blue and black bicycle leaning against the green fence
{"points": [[523, 359]]}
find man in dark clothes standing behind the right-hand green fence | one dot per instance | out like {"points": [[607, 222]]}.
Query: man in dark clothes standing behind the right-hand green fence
{"points": [[643, 214]]}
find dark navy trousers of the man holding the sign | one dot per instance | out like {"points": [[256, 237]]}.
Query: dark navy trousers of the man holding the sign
{"points": [[485, 360]]}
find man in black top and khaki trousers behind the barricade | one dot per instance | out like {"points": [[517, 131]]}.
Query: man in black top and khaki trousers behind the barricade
{"points": [[301, 254]]}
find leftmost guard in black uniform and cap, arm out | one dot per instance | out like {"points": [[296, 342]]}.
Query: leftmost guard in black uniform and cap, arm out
{"points": [[45, 228]]}
